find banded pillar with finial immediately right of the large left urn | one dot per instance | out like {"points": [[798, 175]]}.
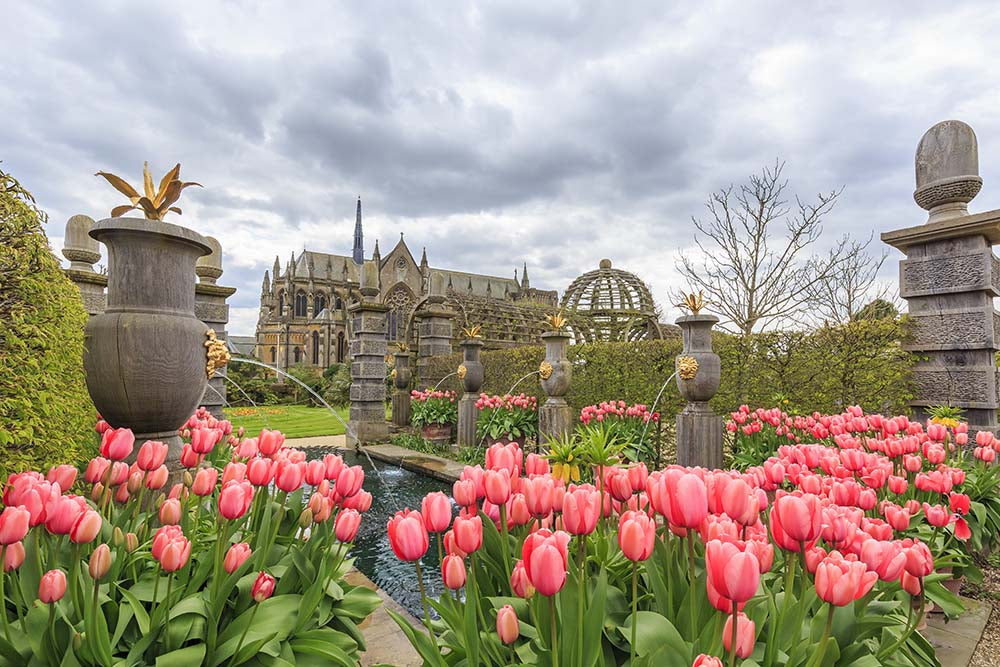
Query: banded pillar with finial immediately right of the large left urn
{"points": [[211, 308]]}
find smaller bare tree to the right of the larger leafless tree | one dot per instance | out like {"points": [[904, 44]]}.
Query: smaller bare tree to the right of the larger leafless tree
{"points": [[852, 285]]}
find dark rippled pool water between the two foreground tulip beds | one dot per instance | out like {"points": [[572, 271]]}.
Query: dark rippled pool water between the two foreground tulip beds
{"points": [[372, 552]]}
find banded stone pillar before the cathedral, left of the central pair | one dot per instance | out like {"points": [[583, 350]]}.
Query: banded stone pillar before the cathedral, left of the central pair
{"points": [[368, 349]]}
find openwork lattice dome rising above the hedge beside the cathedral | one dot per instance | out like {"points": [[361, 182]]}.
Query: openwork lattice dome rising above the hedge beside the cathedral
{"points": [[610, 305]]}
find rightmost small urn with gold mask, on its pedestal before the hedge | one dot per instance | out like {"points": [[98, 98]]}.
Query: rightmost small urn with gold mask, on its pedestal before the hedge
{"points": [[699, 430]]}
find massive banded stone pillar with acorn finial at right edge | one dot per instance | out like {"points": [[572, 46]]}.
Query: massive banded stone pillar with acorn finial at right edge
{"points": [[949, 278]]}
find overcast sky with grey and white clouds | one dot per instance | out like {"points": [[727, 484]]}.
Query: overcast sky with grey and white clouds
{"points": [[554, 133]]}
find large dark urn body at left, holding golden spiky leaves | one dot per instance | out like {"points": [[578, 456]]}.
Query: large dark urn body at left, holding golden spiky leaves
{"points": [[145, 356]]}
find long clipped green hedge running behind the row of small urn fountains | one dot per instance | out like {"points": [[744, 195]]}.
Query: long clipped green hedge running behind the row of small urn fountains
{"points": [[823, 369]]}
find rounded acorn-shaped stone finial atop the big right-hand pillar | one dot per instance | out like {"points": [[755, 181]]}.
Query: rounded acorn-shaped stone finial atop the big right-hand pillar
{"points": [[947, 170]]}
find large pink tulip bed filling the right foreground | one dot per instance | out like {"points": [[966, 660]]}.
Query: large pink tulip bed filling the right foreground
{"points": [[827, 553]]}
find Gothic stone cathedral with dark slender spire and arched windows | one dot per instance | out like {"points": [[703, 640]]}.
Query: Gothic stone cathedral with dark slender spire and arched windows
{"points": [[303, 310]]}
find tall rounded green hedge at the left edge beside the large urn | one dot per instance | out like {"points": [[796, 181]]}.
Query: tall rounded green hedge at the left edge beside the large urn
{"points": [[46, 415]]}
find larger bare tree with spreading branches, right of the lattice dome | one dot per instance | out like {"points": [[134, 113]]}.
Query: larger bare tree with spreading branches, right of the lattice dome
{"points": [[753, 278]]}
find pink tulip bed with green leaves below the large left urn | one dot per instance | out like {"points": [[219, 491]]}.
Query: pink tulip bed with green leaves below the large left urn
{"points": [[225, 568]]}
